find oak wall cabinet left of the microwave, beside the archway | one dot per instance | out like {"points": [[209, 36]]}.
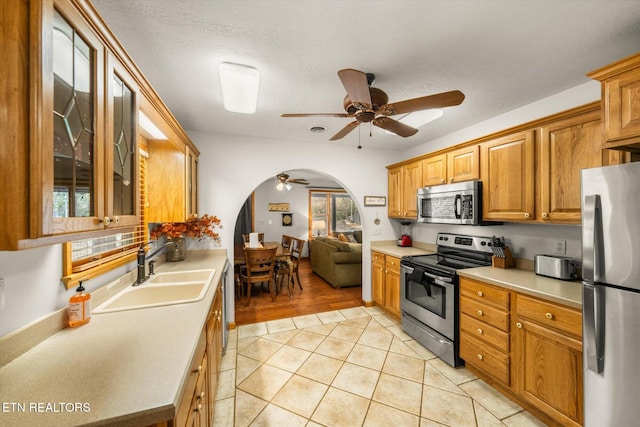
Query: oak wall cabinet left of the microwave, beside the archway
{"points": [[404, 182]]}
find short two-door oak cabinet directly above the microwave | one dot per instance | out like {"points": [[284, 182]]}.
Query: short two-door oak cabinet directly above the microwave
{"points": [[462, 164]]}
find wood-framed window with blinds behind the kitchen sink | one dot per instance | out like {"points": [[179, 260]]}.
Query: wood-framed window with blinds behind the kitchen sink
{"points": [[88, 258]]}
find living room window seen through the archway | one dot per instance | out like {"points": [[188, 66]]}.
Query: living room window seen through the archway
{"points": [[332, 212]]}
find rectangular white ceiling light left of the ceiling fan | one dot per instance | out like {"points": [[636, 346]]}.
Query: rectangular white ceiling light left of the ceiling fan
{"points": [[239, 87]]}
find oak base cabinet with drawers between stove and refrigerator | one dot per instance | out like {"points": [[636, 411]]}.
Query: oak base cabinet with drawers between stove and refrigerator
{"points": [[528, 348]]}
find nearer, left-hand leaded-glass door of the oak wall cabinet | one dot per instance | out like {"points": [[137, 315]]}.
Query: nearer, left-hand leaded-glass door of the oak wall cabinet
{"points": [[73, 134]]}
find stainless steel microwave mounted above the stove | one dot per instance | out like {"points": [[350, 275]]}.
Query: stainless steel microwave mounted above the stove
{"points": [[458, 203]]}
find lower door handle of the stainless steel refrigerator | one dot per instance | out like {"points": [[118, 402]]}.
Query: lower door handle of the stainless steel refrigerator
{"points": [[593, 318]]}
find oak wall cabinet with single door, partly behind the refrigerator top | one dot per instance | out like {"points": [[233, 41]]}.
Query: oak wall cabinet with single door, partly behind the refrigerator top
{"points": [[567, 146]]}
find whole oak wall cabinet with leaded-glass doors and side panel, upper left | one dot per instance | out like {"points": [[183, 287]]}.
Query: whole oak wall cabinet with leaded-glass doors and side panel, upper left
{"points": [[70, 145]]}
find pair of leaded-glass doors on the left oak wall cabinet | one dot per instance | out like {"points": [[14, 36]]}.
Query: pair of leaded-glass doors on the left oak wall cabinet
{"points": [[84, 177]]}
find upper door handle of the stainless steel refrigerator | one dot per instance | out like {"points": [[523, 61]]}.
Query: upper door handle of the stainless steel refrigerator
{"points": [[592, 239]]}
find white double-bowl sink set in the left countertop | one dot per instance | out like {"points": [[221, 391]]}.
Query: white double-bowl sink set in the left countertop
{"points": [[162, 289]]}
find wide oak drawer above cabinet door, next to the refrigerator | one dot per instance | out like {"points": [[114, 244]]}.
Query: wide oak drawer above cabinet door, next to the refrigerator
{"points": [[550, 314]]}
